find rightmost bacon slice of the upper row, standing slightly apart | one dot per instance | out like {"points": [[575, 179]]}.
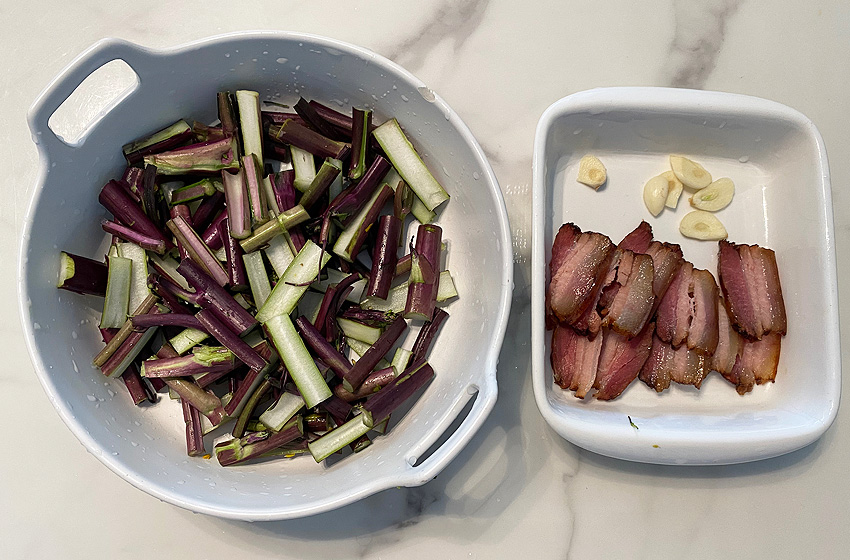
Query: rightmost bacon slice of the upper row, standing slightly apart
{"points": [[749, 279]]}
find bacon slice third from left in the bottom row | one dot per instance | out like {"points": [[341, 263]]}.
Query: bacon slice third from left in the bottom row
{"points": [[666, 364]]}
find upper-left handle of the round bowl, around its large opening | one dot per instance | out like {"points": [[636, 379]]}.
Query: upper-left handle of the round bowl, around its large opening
{"points": [[139, 59]]}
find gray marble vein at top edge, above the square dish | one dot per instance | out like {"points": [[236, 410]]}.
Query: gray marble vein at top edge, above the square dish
{"points": [[697, 41]]}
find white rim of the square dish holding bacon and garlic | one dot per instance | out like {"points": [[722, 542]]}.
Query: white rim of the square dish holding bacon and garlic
{"points": [[592, 436]]}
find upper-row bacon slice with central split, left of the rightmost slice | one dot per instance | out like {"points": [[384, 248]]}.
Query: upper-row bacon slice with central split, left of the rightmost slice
{"points": [[688, 311]]}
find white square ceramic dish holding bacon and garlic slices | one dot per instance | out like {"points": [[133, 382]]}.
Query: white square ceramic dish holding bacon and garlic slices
{"points": [[777, 160]]}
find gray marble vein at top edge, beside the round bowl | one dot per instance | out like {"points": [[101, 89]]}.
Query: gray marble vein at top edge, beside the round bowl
{"points": [[451, 20]]}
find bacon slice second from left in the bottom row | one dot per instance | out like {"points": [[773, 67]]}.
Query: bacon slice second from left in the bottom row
{"points": [[620, 361]]}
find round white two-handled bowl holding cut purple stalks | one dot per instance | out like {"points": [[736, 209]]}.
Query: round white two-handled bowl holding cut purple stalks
{"points": [[146, 446]]}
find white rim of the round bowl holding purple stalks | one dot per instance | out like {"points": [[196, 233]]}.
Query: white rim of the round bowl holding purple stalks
{"points": [[104, 51]]}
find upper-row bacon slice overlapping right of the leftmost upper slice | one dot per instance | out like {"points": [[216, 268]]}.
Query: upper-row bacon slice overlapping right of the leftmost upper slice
{"points": [[632, 303]]}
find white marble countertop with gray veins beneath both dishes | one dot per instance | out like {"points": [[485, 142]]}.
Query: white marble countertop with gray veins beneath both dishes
{"points": [[518, 488]]}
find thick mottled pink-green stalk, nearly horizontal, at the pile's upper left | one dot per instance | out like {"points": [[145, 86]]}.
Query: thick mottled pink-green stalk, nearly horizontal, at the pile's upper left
{"points": [[205, 157]]}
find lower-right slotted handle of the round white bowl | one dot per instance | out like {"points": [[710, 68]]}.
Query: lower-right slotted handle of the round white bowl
{"points": [[434, 464]]}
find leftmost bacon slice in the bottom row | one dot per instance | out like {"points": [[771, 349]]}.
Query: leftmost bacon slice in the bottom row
{"points": [[574, 360]]}
